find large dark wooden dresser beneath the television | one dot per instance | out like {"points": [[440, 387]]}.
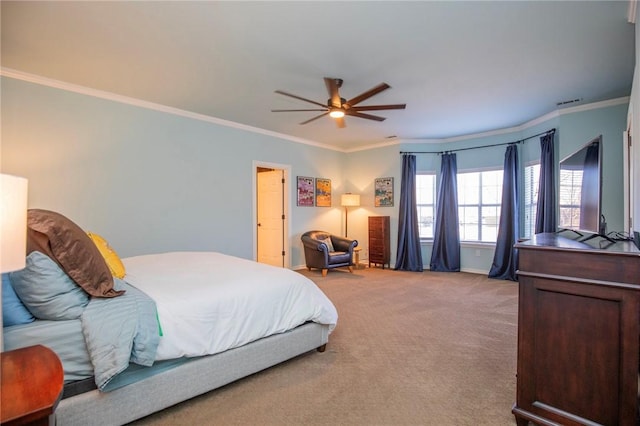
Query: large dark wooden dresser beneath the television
{"points": [[578, 332]]}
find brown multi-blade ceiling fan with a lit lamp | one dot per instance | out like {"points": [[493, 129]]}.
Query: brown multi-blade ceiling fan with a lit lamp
{"points": [[337, 107]]}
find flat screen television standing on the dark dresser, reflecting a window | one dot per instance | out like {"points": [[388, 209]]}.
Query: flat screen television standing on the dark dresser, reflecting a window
{"points": [[580, 197]]}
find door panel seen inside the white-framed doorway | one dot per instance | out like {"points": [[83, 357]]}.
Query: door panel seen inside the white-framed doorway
{"points": [[270, 215]]}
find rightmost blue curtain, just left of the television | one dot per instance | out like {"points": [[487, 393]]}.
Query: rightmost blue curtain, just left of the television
{"points": [[546, 209]]}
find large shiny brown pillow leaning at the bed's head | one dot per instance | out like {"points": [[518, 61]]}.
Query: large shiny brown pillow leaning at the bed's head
{"points": [[71, 248]]}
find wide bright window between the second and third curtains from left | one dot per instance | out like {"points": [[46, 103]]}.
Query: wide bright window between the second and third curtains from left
{"points": [[479, 198]]}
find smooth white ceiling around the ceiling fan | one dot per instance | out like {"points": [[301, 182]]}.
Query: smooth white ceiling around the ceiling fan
{"points": [[461, 67]]}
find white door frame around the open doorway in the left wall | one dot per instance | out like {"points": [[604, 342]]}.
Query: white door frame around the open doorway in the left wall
{"points": [[287, 207]]}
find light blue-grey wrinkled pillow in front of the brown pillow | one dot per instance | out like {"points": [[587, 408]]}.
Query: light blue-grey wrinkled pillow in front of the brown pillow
{"points": [[47, 291]]}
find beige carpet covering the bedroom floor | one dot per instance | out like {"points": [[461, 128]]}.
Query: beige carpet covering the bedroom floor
{"points": [[409, 349]]}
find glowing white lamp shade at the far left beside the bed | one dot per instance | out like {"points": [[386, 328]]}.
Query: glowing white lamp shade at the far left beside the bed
{"points": [[13, 222]]}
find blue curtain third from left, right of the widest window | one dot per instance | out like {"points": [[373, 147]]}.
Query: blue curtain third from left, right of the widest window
{"points": [[505, 258]]}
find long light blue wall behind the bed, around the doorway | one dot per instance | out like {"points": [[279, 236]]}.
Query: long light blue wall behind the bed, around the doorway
{"points": [[149, 181]]}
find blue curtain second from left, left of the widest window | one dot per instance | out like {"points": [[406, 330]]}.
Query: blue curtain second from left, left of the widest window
{"points": [[445, 256]]}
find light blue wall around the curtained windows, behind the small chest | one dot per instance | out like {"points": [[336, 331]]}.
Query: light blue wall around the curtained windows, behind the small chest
{"points": [[573, 131]]}
